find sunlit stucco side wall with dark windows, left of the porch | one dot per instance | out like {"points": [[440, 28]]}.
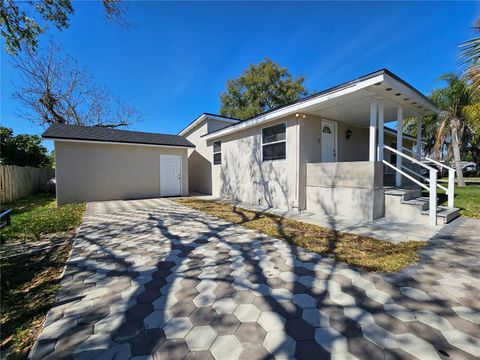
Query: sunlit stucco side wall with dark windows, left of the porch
{"points": [[243, 176]]}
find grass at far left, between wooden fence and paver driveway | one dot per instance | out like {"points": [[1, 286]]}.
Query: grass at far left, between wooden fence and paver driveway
{"points": [[30, 282]]}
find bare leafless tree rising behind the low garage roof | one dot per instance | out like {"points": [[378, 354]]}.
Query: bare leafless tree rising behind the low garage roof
{"points": [[54, 88]]}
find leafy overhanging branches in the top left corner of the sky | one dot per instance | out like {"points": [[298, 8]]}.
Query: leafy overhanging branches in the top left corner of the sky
{"points": [[22, 22]]}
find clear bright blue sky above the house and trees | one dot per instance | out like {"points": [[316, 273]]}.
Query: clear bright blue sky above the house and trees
{"points": [[174, 61]]}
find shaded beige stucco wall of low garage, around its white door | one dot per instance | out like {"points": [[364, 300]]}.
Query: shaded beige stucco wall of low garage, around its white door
{"points": [[94, 171]]}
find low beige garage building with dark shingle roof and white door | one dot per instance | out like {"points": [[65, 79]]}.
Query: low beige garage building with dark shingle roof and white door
{"points": [[96, 163]]}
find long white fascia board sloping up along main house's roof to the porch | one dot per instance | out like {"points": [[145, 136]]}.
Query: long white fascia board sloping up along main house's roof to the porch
{"points": [[276, 114]]}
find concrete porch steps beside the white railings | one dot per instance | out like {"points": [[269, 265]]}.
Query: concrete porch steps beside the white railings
{"points": [[407, 204]]}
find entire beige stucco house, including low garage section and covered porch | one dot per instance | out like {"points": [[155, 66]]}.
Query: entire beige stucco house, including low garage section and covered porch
{"points": [[328, 153]]}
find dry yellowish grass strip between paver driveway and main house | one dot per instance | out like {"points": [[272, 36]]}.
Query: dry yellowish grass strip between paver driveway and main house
{"points": [[364, 252]]}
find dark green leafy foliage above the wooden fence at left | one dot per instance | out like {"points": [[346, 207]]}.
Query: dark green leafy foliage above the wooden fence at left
{"points": [[22, 150]]}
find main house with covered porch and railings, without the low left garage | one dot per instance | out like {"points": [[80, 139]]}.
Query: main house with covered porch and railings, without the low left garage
{"points": [[324, 154]]}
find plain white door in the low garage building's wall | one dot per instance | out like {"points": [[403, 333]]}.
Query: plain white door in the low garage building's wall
{"points": [[170, 175]]}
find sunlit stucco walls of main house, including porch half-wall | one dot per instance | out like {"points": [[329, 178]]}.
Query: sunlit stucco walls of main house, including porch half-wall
{"points": [[244, 177]]}
